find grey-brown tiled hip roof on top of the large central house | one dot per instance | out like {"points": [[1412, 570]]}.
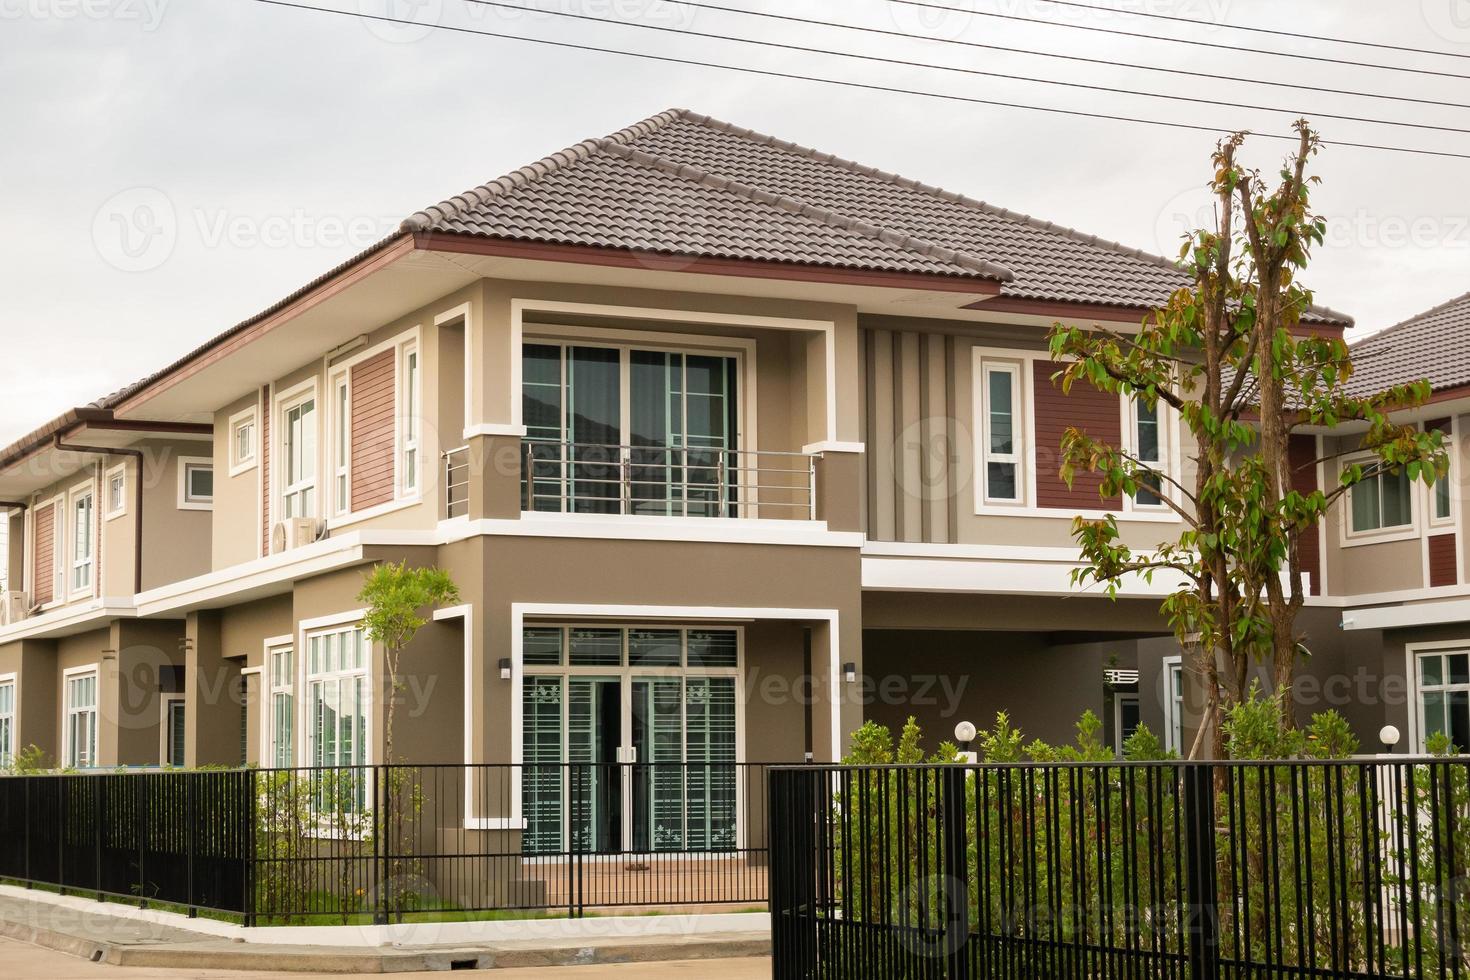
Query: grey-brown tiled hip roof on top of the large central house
{"points": [[684, 183]]}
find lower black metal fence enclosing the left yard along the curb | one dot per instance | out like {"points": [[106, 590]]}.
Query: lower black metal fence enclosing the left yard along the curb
{"points": [[395, 843]]}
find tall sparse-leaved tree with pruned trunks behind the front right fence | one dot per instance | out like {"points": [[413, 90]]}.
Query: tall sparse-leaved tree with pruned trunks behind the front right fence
{"points": [[1231, 356]]}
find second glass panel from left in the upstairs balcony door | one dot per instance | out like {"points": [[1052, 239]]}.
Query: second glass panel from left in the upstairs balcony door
{"points": [[595, 428]]}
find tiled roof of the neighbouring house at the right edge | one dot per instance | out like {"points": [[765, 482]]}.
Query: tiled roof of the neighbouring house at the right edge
{"points": [[1434, 345]]}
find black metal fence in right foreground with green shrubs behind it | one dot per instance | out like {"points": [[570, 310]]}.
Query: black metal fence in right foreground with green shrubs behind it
{"points": [[1122, 871]]}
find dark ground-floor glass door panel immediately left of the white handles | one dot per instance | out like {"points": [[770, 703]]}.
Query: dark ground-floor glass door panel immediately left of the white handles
{"points": [[595, 729]]}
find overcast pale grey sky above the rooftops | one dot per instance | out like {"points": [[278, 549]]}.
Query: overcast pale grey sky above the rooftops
{"points": [[170, 168]]}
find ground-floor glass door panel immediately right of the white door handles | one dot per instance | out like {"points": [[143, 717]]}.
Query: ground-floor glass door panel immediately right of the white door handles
{"points": [[658, 781]]}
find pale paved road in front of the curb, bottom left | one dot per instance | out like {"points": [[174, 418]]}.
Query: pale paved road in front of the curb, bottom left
{"points": [[24, 962]]}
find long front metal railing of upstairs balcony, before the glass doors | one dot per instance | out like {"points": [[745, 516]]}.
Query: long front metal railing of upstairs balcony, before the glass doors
{"points": [[576, 478]]}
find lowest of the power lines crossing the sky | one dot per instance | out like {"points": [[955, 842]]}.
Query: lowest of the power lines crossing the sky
{"points": [[897, 90]]}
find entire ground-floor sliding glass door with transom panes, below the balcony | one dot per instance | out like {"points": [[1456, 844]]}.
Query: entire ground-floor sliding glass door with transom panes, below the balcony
{"points": [[630, 738]]}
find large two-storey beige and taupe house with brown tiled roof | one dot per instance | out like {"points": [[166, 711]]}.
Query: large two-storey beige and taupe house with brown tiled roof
{"points": [[692, 415]]}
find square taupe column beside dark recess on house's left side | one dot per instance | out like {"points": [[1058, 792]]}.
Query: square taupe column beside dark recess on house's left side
{"points": [[211, 696]]}
